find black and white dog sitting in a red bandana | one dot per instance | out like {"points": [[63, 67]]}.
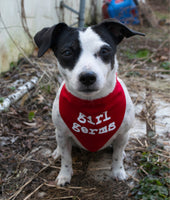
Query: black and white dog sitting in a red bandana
{"points": [[92, 107]]}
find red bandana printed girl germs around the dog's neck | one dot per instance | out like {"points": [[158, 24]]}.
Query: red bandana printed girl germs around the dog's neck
{"points": [[94, 122]]}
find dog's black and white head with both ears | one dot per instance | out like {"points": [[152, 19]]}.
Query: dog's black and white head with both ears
{"points": [[86, 58]]}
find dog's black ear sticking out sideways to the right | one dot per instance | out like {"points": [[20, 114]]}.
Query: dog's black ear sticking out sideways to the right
{"points": [[118, 30]]}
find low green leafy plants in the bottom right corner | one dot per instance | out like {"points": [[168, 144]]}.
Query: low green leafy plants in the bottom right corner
{"points": [[155, 182]]}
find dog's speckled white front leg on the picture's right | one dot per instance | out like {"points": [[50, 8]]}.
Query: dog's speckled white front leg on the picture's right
{"points": [[119, 144]]}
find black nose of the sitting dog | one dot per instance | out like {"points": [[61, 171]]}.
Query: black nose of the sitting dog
{"points": [[87, 78]]}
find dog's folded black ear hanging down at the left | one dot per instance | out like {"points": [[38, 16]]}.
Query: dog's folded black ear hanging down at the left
{"points": [[43, 38]]}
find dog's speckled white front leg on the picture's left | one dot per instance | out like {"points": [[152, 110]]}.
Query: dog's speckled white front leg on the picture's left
{"points": [[64, 147]]}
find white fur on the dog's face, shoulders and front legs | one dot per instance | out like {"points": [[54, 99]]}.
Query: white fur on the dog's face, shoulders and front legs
{"points": [[106, 79]]}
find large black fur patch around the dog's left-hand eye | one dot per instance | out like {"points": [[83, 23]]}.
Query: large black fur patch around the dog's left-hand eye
{"points": [[67, 48]]}
